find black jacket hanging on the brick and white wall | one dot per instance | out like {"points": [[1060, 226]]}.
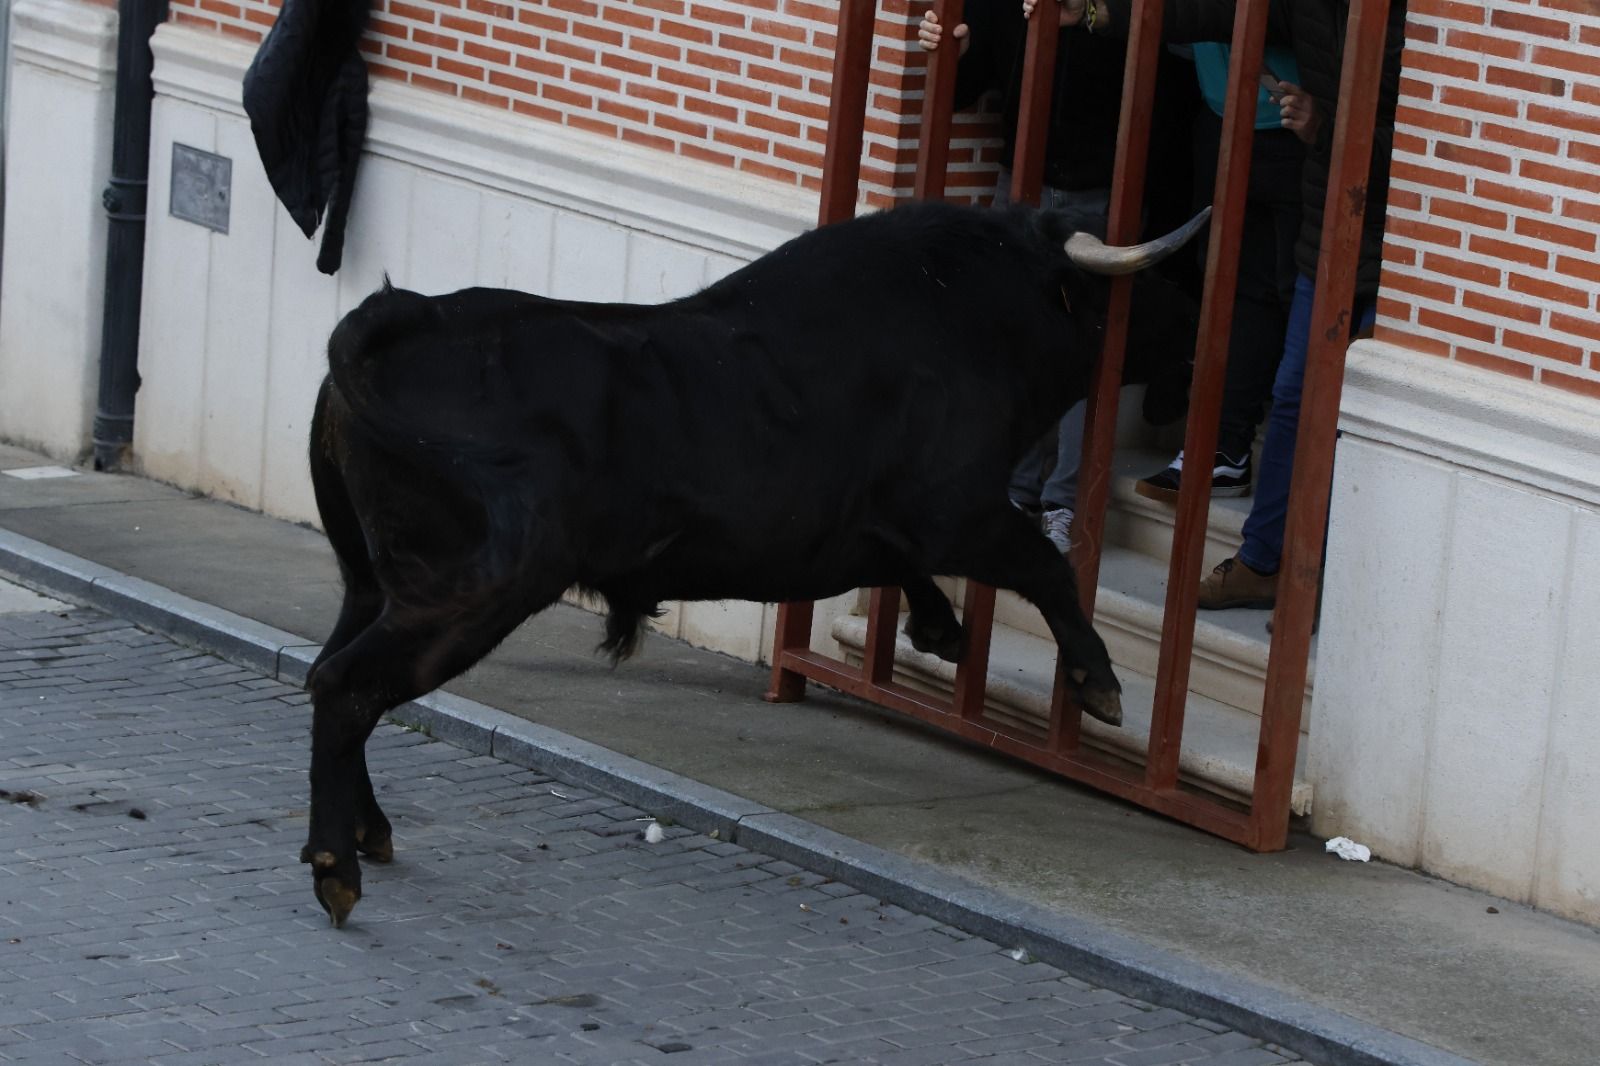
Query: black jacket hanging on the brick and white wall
{"points": [[306, 98]]}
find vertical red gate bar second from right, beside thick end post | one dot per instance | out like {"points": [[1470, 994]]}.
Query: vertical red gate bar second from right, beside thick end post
{"points": [[1206, 395]]}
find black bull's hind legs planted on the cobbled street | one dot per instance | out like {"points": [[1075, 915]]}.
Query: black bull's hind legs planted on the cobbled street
{"points": [[402, 655]]}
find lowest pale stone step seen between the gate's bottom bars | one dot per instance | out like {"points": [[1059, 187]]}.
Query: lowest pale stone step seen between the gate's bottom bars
{"points": [[1220, 740]]}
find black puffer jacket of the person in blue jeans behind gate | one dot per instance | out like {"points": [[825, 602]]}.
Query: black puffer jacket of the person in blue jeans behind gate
{"points": [[1316, 31]]}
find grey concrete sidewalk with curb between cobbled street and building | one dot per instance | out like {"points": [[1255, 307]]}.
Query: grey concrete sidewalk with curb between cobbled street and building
{"points": [[1297, 939]]}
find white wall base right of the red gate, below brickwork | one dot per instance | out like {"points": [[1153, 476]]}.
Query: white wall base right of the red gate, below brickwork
{"points": [[1458, 667]]}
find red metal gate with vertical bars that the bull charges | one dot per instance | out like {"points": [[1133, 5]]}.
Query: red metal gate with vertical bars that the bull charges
{"points": [[1263, 824]]}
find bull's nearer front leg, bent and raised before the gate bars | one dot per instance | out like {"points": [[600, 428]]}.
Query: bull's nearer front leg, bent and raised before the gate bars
{"points": [[1007, 551]]}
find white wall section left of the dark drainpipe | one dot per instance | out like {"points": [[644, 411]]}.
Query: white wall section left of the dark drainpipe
{"points": [[54, 276]]}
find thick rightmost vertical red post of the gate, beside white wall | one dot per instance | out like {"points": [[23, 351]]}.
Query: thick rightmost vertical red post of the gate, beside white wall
{"points": [[1330, 335]]}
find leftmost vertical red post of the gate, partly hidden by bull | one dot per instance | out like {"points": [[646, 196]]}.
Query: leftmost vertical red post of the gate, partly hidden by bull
{"points": [[841, 188]]}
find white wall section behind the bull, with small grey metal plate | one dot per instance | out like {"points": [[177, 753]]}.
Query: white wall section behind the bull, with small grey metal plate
{"points": [[234, 326]]}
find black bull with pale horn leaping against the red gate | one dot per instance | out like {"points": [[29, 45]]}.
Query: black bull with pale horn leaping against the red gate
{"points": [[841, 414]]}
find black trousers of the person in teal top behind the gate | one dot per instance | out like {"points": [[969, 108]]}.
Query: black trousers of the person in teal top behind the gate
{"points": [[1266, 273]]}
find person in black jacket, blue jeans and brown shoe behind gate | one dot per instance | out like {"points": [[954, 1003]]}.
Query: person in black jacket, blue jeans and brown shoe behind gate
{"points": [[1314, 30]]}
